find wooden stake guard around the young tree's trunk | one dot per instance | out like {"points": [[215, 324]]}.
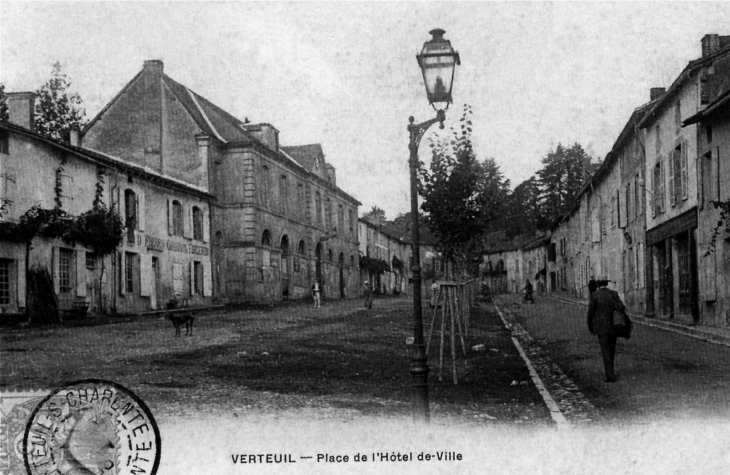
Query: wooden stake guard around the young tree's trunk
{"points": [[453, 309]]}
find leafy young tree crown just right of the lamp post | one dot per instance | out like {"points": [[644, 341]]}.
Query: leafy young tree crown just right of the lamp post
{"points": [[461, 196]]}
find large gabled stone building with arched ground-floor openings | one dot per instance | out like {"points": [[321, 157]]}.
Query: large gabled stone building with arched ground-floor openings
{"points": [[278, 222]]}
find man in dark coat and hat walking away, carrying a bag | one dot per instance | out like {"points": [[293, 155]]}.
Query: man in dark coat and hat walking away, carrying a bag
{"points": [[602, 304]]}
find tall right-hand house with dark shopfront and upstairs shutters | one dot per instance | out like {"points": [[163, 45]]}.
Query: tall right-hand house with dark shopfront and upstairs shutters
{"points": [[672, 160]]}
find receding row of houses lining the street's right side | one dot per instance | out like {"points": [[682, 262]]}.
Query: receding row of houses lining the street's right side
{"points": [[647, 219]]}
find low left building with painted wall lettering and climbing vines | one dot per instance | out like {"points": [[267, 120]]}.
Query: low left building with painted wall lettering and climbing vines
{"points": [[166, 250]]}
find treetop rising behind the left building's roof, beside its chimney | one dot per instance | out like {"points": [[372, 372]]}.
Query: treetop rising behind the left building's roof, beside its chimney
{"points": [[58, 111]]}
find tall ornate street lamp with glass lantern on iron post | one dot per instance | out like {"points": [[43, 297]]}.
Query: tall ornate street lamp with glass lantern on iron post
{"points": [[437, 61]]}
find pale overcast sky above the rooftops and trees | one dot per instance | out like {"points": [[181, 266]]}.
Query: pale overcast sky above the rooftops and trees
{"points": [[345, 74]]}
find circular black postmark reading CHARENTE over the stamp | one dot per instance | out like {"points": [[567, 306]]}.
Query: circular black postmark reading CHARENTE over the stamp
{"points": [[91, 426]]}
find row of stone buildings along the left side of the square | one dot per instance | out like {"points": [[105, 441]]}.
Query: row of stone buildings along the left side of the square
{"points": [[215, 209]]}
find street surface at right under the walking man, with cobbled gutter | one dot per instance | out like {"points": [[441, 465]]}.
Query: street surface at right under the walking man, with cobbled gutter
{"points": [[663, 376]]}
